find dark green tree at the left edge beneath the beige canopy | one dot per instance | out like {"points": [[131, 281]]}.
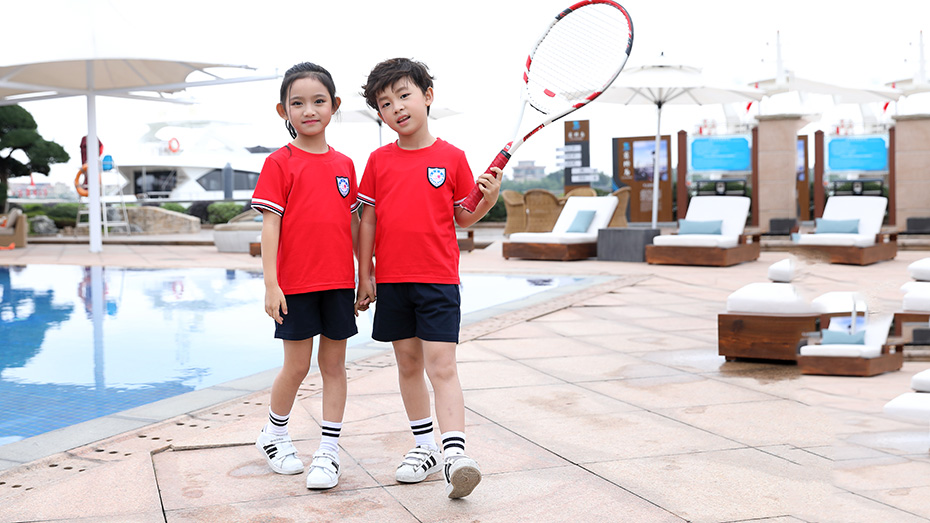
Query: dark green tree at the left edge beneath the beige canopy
{"points": [[18, 132]]}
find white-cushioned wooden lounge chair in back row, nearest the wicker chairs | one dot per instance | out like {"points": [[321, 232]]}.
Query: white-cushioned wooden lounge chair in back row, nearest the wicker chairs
{"points": [[574, 235]]}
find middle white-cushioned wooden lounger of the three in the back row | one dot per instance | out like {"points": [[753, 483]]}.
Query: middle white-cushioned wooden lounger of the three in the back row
{"points": [[699, 241]]}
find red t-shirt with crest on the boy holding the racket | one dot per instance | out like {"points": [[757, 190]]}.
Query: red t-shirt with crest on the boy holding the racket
{"points": [[414, 194]]}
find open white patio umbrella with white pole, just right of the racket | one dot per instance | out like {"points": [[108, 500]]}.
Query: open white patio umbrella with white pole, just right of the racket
{"points": [[663, 83]]}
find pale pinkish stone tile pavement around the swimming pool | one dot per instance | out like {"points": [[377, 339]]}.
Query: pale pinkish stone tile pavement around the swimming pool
{"points": [[608, 403]]}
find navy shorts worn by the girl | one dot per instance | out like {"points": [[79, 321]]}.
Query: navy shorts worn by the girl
{"points": [[330, 313]]}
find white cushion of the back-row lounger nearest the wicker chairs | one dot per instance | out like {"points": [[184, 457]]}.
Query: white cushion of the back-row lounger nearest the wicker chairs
{"points": [[603, 207]]}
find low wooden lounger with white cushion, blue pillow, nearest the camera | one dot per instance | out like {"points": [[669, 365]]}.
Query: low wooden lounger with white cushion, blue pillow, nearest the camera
{"points": [[871, 357]]}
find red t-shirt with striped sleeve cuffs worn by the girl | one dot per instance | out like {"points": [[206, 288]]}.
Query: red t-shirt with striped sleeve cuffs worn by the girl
{"points": [[315, 195]]}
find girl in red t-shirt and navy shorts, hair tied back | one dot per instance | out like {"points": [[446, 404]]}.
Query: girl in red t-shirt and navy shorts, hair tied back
{"points": [[307, 194]]}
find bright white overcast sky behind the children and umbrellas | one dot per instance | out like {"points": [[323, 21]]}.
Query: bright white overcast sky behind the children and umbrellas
{"points": [[475, 49]]}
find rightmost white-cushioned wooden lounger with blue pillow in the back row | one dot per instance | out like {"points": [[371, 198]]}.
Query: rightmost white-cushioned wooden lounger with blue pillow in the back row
{"points": [[850, 232]]}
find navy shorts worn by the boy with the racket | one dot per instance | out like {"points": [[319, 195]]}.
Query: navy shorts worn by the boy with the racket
{"points": [[429, 311]]}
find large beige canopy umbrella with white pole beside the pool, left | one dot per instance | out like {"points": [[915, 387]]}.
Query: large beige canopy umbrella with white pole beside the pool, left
{"points": [[119, 77]]}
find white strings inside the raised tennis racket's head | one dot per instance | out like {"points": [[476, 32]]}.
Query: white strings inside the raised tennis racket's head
{"points": [[578, 56]]}
